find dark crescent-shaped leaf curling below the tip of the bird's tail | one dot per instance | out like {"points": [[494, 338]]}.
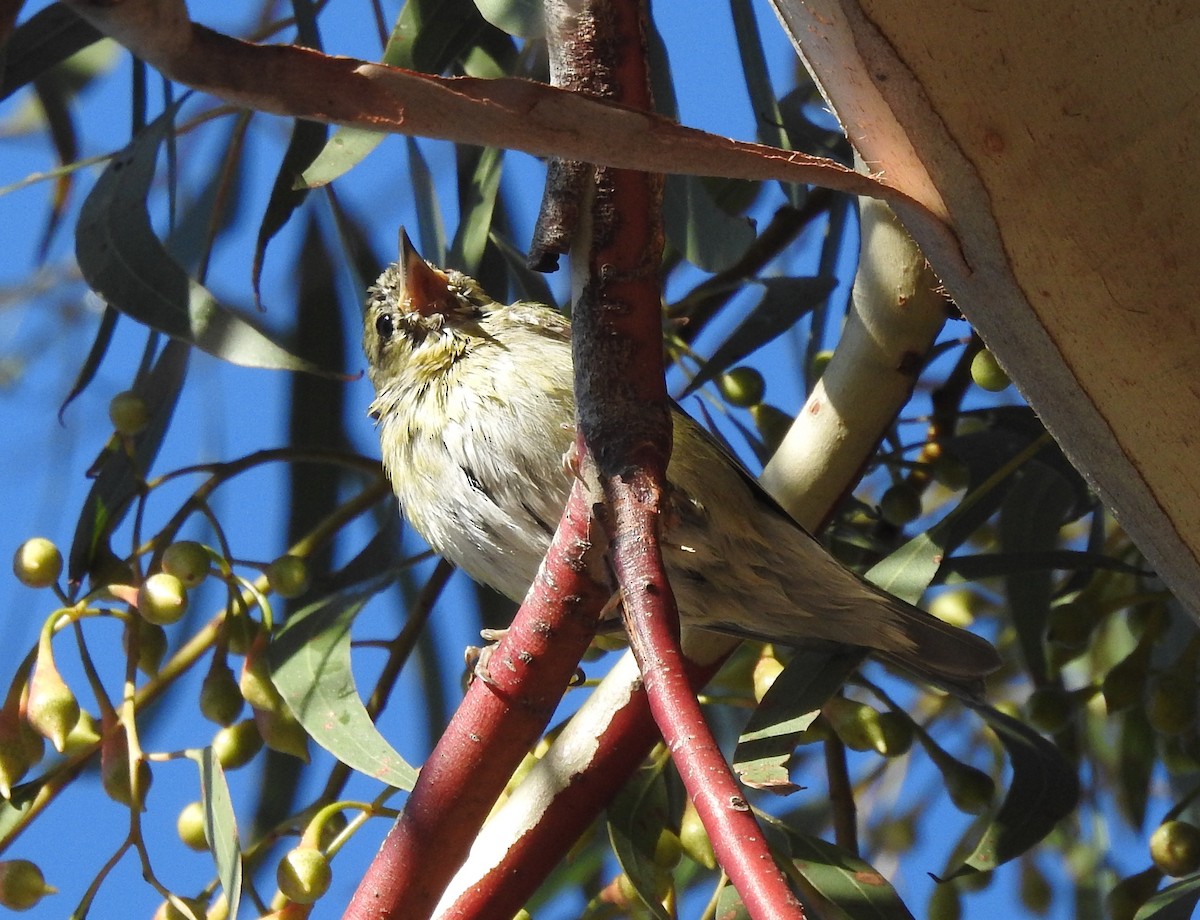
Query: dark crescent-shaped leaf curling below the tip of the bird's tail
{"points": [[1043, 791]]}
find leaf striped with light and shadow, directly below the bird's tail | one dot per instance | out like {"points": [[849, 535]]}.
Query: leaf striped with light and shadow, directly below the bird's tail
{"points": [[765, 749]]}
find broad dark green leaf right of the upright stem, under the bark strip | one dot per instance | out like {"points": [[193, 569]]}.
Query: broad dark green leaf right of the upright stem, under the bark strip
{"points": [[704, 233]]}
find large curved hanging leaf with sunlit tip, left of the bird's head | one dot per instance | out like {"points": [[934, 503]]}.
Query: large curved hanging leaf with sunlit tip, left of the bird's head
{"points": [[125, 263]]}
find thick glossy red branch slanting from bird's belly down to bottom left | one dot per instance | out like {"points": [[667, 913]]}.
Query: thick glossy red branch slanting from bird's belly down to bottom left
{"points": [[497, 724]]}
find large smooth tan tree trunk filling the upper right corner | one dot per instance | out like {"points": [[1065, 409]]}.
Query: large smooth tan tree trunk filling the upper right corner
{"points": [[1060, 142]]}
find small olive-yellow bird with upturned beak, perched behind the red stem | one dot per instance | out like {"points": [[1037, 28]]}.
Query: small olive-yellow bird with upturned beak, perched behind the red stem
{"points": [[476, 412]]}
